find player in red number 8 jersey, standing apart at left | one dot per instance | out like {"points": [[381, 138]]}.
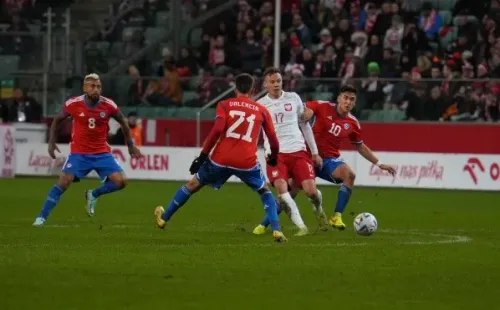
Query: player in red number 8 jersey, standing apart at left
{"points": [[89, 149]]}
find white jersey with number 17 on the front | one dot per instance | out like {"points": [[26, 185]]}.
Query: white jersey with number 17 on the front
{"points": [[286, 111]]}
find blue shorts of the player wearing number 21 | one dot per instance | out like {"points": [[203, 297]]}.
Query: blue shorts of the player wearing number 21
{"points": [[216, 175]]}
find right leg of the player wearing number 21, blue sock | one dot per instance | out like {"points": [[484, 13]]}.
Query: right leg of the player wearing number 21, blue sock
{"points": [[255, 180]]}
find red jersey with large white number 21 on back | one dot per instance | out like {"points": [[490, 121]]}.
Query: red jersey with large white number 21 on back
{"points": [[244, 118]]}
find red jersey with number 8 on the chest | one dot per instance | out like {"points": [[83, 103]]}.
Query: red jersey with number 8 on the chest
{"points": [[90, 124]]}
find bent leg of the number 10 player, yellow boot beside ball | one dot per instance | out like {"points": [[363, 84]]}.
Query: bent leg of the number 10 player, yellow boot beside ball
{"points": [[340, 171]]}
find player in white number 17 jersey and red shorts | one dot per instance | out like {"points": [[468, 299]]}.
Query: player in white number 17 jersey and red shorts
{"points": [[294, 161]]}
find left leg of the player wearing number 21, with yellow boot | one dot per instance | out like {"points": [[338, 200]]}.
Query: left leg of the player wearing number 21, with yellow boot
{"points": [[208, 174]]}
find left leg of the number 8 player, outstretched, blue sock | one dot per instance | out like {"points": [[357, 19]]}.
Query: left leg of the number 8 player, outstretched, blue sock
{"points": [[73, 169]]}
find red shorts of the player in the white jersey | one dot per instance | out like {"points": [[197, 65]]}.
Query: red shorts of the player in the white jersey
{"points": [[297, 166]]}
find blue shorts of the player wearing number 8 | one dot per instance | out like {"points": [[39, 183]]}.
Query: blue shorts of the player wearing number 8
{"points": [[80, 165]]}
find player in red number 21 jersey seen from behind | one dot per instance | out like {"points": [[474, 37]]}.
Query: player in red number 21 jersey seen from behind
{"points": [[235, 135]]}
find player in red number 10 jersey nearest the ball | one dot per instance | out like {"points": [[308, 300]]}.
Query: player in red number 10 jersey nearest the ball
{"points": [[332, 124]]}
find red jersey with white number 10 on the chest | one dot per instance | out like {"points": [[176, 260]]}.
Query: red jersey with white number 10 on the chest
{"points": [[330, 129]]}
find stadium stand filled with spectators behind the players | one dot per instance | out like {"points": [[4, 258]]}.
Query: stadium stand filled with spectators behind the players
{"points": [[411, 59]]}
